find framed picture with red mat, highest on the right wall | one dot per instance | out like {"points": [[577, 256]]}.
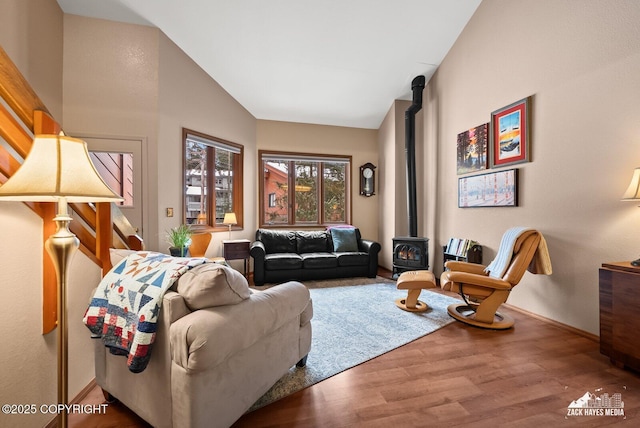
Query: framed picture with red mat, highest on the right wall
{"points": [[510, 134]]}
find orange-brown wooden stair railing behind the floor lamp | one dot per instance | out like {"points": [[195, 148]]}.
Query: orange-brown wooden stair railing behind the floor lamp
{"points": [[22, 115]]}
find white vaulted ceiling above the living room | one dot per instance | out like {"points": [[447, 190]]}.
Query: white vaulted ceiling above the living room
{"points": [[332, 62]]}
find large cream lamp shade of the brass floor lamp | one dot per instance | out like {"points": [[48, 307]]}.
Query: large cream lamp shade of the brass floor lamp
{"points": [[57, 167]]}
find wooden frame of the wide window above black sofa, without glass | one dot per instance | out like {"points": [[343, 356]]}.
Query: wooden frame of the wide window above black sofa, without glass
{"points": [[291, 215]]}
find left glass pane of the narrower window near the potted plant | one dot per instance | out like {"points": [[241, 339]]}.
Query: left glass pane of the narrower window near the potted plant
{"points": [[196, 182]]}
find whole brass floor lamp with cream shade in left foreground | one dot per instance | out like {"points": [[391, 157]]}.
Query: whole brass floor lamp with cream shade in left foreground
{"points": [[58, 169]]}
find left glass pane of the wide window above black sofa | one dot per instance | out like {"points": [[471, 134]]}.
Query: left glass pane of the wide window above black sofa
{"points": [[276, 175]]}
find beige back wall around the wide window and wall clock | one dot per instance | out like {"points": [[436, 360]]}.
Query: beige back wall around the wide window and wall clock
{"points": [[359, 143]]}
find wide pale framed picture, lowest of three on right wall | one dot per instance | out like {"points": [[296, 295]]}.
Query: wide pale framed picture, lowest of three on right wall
{"points": [[493, 189]]}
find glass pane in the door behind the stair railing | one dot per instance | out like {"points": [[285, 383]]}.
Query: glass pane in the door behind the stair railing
{"points": [[116, 169]]}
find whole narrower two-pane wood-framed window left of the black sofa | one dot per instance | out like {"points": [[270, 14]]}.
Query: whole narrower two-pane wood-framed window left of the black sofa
{"points": [[213, 180]]}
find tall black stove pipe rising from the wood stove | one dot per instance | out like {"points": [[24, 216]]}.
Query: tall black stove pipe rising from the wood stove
{"points": [[417, 85]]}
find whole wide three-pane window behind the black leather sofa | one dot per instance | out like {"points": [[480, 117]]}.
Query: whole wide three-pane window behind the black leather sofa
{"points": [[304, 189]]}
